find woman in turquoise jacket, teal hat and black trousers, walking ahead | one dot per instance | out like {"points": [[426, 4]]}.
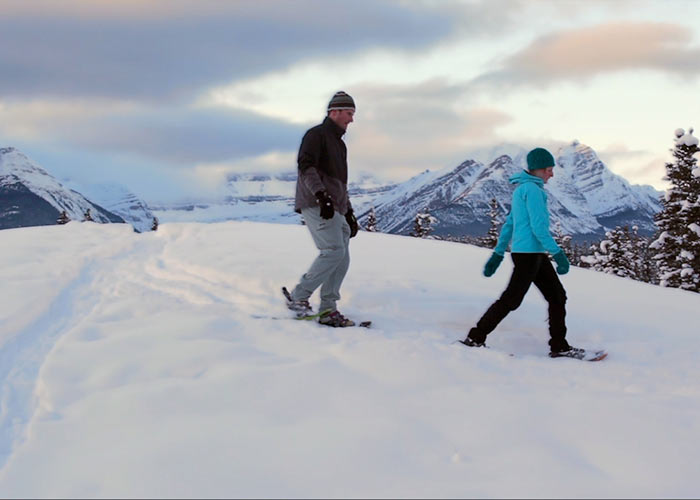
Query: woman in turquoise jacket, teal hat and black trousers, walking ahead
{"points": [[527, 225]]}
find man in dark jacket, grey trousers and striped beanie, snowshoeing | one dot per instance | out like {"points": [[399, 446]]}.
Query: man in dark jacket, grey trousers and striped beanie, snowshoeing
{"points": [[322, 199]]}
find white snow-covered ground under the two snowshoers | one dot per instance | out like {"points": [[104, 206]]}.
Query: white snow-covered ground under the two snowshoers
{"points": [[149, 365]]}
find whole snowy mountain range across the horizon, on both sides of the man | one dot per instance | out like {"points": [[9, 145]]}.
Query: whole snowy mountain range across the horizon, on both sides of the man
{"points": [[585, 197]]}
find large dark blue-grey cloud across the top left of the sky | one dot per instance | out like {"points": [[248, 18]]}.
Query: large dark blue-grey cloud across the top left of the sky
{"points": [[172, 49]]}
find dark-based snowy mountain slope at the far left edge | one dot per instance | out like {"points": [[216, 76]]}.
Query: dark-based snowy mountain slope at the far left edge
{"points": [[31, 196]]}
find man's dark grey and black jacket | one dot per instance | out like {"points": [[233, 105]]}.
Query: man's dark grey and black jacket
{"points": [[323, 166]]}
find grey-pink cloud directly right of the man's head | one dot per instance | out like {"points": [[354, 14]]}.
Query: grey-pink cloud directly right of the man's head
{"points": [[409, 128]]}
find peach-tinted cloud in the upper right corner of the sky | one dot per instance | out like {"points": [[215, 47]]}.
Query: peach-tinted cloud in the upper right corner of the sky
{"points": [[581, 54]]}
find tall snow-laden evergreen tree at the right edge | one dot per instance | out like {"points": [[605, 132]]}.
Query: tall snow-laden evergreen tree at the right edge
{"points": [[677, 246]]}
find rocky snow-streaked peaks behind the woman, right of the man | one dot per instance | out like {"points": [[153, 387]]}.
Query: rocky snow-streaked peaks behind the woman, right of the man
{"points": [[585, 197]]}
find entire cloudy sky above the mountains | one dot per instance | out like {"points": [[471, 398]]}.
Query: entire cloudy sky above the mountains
{"points": [[168, 97]]}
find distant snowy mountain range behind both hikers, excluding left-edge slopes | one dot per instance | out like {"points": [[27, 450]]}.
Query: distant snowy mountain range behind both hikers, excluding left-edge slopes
{"points": [[586, 199]]}
